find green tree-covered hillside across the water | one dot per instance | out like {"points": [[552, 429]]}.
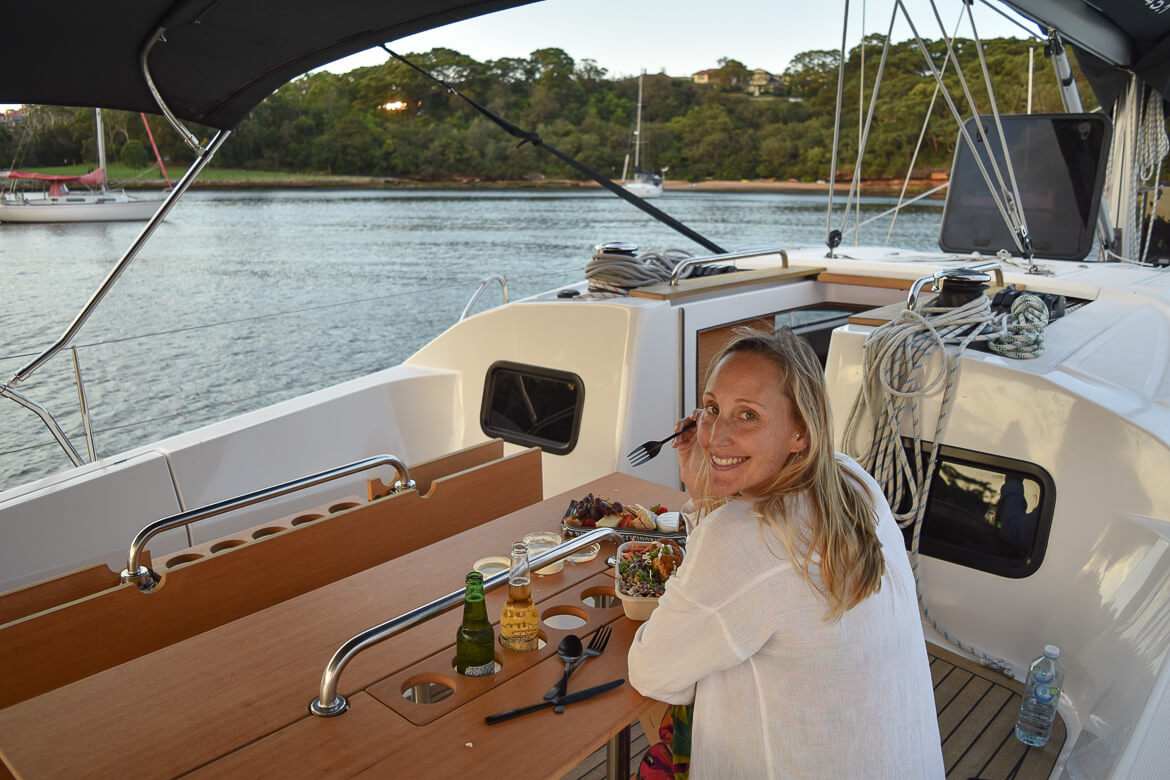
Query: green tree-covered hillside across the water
{"points": [[390, 121]]}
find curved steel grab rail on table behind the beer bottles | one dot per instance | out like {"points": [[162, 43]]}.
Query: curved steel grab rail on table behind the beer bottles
{"points": [[371, 637]]}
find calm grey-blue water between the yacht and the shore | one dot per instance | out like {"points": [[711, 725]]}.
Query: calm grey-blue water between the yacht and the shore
{"points": [[244, 300]]}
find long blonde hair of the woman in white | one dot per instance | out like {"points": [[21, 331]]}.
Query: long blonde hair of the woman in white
{"points": [[841, 540]]}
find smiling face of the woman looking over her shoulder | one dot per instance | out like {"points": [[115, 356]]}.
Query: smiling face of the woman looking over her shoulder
{"points": [[747, 427]]}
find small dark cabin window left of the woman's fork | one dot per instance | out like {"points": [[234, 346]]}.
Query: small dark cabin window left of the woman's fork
{"points": [[533, 406]]}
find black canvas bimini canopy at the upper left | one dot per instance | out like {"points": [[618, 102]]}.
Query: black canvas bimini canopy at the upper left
{"points": [[219, 58]]}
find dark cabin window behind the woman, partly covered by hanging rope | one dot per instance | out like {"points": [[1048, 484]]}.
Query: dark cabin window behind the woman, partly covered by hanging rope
{"points": [[987, 513]]}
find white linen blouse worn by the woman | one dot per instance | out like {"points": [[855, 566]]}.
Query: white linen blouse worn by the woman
{"points": [[779, 692]]}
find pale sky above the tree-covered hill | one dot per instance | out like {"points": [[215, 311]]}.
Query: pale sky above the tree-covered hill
{"points": [[682, 37]]}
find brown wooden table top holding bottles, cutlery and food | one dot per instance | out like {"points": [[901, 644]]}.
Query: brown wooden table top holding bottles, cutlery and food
{"points": [[235, 700]]}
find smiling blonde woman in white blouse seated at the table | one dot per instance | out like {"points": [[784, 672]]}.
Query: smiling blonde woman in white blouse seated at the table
{"points": [[793, 625]]}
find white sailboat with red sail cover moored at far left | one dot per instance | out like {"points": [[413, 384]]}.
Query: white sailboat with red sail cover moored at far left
{"points": [[60, 205]]}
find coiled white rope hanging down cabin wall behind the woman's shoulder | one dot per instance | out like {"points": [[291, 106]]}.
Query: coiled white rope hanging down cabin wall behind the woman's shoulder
{"points": [[896, 375]]}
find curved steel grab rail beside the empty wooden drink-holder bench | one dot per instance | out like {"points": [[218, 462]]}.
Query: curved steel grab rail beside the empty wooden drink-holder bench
{"points": [[142, 575]]}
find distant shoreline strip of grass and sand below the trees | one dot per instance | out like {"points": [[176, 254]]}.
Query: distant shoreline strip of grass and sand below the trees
{"points": [[883, 187]]}
